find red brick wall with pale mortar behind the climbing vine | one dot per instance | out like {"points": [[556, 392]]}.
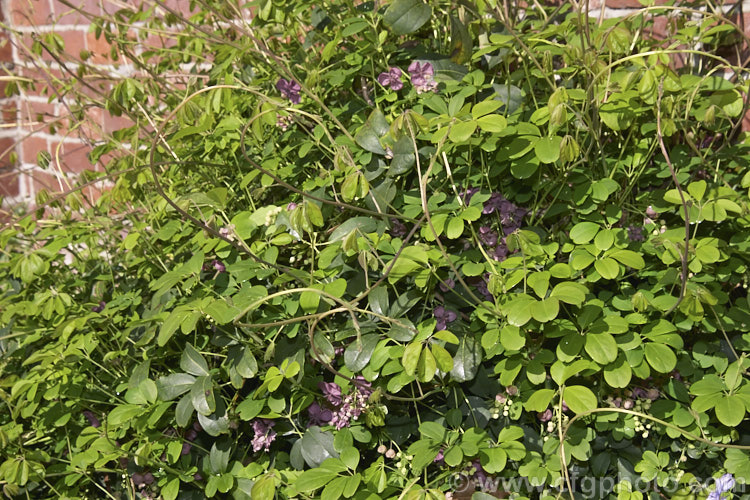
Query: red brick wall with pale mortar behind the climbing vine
{"points": [[34, 125]]}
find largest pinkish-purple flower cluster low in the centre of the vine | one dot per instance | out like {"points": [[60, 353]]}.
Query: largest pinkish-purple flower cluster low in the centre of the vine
{"points": [[344, 408]]}
